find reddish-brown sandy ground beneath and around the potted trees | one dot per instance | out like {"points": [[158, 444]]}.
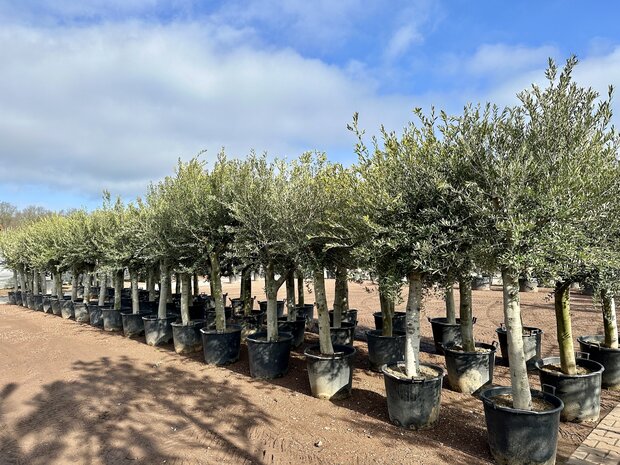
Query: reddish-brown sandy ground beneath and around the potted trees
{"points": [[73, 394]]}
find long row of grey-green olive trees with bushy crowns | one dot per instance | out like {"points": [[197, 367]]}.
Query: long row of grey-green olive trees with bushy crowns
{"points": [[531, 189]]}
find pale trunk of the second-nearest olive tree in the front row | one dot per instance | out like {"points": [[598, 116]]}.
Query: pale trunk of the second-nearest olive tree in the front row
{"points": [[412, 341]]}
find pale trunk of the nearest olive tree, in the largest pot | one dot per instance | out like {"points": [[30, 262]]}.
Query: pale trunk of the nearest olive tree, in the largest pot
{"points": [[521, 395]]}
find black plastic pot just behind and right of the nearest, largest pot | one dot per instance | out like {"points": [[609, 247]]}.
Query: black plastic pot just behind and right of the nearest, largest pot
{"points": [[581, 394]]}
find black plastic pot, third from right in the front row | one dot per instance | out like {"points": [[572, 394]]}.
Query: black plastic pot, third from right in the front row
{"points": [[330, 376]]}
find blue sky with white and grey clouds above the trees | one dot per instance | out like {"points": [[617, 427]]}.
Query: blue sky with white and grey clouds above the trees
{"points": [[109, 94]]}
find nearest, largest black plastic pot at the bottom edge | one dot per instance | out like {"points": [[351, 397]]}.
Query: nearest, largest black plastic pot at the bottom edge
{"points": [[521, 436]]}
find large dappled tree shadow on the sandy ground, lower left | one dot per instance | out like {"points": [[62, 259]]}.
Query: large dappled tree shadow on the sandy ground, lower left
{"points": [[115, 412]]}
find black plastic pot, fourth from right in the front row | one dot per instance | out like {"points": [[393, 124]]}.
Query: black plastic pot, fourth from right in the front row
{"points": [[268, 359]]}
